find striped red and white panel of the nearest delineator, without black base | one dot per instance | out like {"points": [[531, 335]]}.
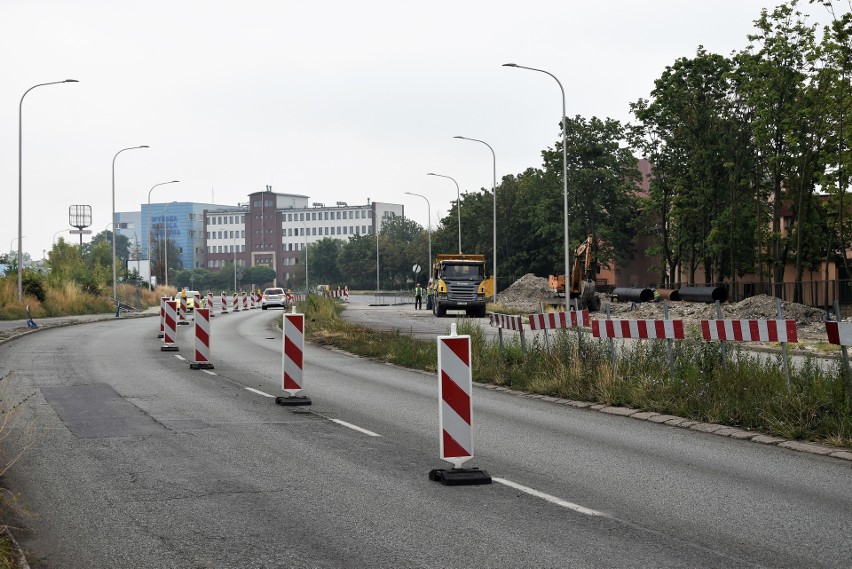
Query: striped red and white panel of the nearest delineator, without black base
{"points": [[455, 382]]}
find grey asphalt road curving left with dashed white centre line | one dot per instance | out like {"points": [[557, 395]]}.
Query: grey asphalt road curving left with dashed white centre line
{"points": [[138, 461]]}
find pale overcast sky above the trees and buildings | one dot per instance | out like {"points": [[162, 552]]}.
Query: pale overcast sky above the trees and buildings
{"points": [[337, 100]]}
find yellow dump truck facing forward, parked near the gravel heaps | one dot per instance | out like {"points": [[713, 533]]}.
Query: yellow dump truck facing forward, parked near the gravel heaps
{"points": [[458, 282]]}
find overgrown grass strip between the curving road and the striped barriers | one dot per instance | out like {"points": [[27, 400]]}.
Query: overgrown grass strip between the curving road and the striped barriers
{"points": [[739, 389]]}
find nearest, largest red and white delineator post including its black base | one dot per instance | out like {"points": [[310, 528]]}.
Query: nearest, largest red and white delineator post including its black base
{"points": [[455, 412]]}
